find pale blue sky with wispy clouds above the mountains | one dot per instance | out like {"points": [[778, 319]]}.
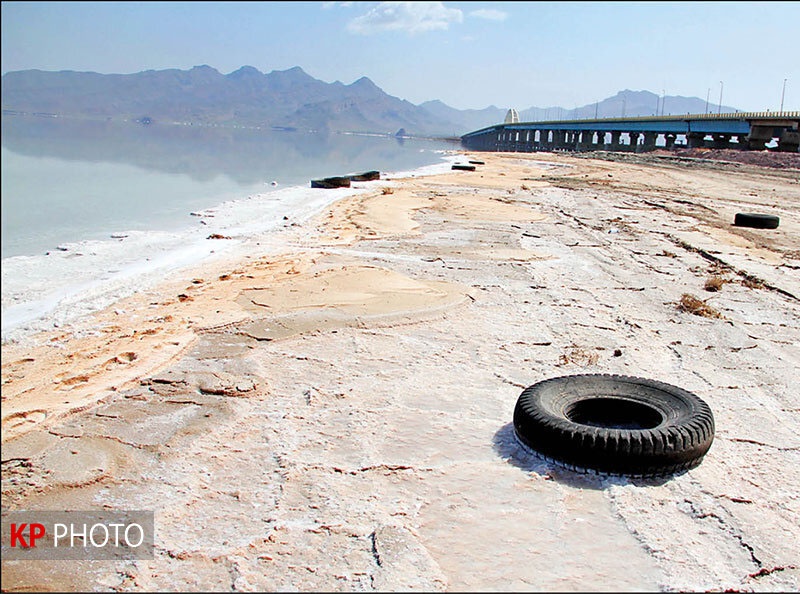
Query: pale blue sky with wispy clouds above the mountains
{"points": [[470, 55]]}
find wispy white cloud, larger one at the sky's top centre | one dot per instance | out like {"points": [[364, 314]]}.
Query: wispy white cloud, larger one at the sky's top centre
{"points": [[412, 17]]}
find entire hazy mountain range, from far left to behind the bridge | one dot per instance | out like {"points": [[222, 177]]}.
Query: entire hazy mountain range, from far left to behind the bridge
{"points": [[284, 99]]}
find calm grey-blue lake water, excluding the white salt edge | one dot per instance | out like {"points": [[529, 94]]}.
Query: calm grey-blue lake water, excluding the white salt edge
{"points": [[72, 180]]}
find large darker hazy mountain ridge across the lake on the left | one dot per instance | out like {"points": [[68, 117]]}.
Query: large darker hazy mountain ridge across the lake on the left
{"points": [[288, 98]]}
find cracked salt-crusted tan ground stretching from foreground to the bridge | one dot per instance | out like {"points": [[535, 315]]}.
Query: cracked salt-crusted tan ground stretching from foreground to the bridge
{"points": [[368, 445]]}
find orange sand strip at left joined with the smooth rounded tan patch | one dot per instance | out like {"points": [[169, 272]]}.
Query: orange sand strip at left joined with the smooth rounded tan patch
{"points": [[127, 347]]}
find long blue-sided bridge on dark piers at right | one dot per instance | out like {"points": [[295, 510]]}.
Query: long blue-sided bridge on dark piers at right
{"points": [[741, 130]]}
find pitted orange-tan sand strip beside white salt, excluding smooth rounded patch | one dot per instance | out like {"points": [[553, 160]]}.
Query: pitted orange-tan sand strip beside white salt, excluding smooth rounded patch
{"points": [[124, 343]]}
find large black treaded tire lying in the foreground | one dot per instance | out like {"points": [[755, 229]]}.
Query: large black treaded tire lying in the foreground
{"points": [[615, 424]]}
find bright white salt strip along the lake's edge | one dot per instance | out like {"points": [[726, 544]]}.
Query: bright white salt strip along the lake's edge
{"points": [[107, 270]]}
